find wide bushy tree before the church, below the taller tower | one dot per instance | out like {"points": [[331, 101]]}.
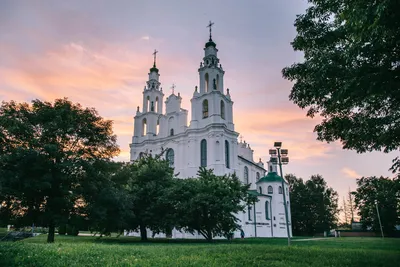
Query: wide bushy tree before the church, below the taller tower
{"points": [[208, 204]]}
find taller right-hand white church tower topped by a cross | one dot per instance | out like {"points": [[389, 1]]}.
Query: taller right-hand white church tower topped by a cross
{"points": [[210, 103]]}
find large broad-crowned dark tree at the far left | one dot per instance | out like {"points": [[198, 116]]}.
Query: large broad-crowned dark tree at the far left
{"points": [[45, 148]]}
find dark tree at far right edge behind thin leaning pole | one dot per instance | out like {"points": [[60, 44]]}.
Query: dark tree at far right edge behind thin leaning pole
{"points": [[386, 193]]}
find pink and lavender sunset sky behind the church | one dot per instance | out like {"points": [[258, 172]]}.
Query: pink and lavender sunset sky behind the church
{"points": [[98, 53]]}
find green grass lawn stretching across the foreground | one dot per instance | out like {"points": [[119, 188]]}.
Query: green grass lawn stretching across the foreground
{"points": [[128, 251]]}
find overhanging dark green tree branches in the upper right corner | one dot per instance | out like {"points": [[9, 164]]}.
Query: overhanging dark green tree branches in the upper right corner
{"points": [[351, 72]]}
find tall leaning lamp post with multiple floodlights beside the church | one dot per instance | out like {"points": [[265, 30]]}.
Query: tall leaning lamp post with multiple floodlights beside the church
{"points": [[282, 159]]}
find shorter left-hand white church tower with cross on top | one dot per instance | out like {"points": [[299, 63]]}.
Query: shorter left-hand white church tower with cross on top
{"points": [[147, 120]]}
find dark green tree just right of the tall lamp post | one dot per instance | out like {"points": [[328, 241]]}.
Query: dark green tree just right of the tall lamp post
{"points": [[314, 205]]}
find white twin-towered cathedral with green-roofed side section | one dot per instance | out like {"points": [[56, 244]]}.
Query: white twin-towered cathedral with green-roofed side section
{"points": [[210, 141]]}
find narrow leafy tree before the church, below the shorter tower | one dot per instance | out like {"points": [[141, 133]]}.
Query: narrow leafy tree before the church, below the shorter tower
{"points": [[150, 179]]}
